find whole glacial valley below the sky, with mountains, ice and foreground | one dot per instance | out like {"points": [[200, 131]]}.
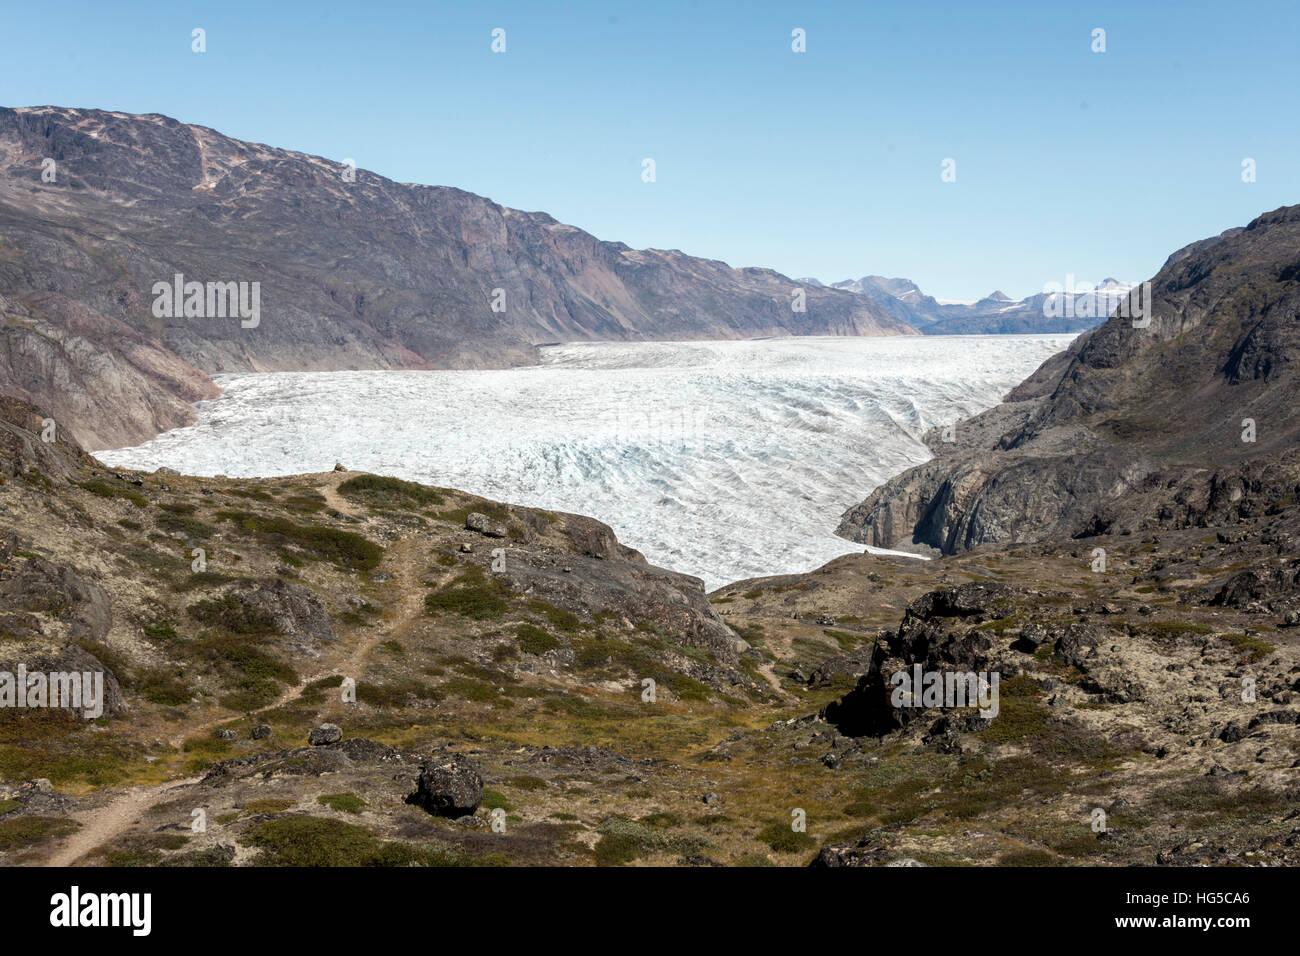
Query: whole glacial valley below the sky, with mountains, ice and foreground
{"points": [[315, 652]]}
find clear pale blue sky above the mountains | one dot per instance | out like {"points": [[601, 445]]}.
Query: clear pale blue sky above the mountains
{"points": [[825, 163]]}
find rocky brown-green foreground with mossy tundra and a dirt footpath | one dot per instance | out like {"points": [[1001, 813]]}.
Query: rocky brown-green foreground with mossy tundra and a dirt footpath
{"points": [[367, 672]]}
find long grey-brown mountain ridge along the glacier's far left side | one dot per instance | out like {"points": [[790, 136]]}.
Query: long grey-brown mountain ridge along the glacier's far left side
{"points": [[366, 274]]}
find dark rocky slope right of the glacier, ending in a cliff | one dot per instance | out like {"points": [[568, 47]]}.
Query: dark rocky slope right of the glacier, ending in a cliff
{"points": [[1133, 427]]}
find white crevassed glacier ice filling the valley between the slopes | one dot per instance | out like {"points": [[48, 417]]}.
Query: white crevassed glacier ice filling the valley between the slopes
{"points": [[723, 460]]}
